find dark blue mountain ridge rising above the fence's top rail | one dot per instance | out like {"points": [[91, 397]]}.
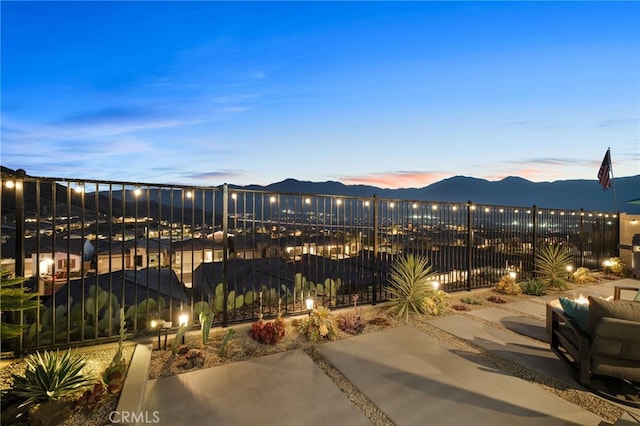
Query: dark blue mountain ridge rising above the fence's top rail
{"points": [[510, 191]]}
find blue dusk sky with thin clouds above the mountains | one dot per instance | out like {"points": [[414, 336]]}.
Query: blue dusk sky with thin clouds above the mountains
{"points": [[386, 94]]}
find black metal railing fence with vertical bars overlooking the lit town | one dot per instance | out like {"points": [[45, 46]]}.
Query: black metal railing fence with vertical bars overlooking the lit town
{"points": [[89, 248]]}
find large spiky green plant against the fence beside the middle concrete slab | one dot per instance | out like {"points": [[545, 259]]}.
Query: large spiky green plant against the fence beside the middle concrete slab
{"points": [[410, 278]]}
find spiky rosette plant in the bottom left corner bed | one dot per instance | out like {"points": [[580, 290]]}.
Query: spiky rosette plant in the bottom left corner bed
{"points": [[49, 376]]}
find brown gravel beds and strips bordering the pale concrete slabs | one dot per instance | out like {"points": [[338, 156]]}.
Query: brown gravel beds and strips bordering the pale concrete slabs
{"points": [[195, 355]]}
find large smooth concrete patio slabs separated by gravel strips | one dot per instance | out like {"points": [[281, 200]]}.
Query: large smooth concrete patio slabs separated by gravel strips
{"points": [[414, 378]]}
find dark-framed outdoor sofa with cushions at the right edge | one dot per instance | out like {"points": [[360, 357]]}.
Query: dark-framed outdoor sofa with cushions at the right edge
{"points": [[599, 341]]}
